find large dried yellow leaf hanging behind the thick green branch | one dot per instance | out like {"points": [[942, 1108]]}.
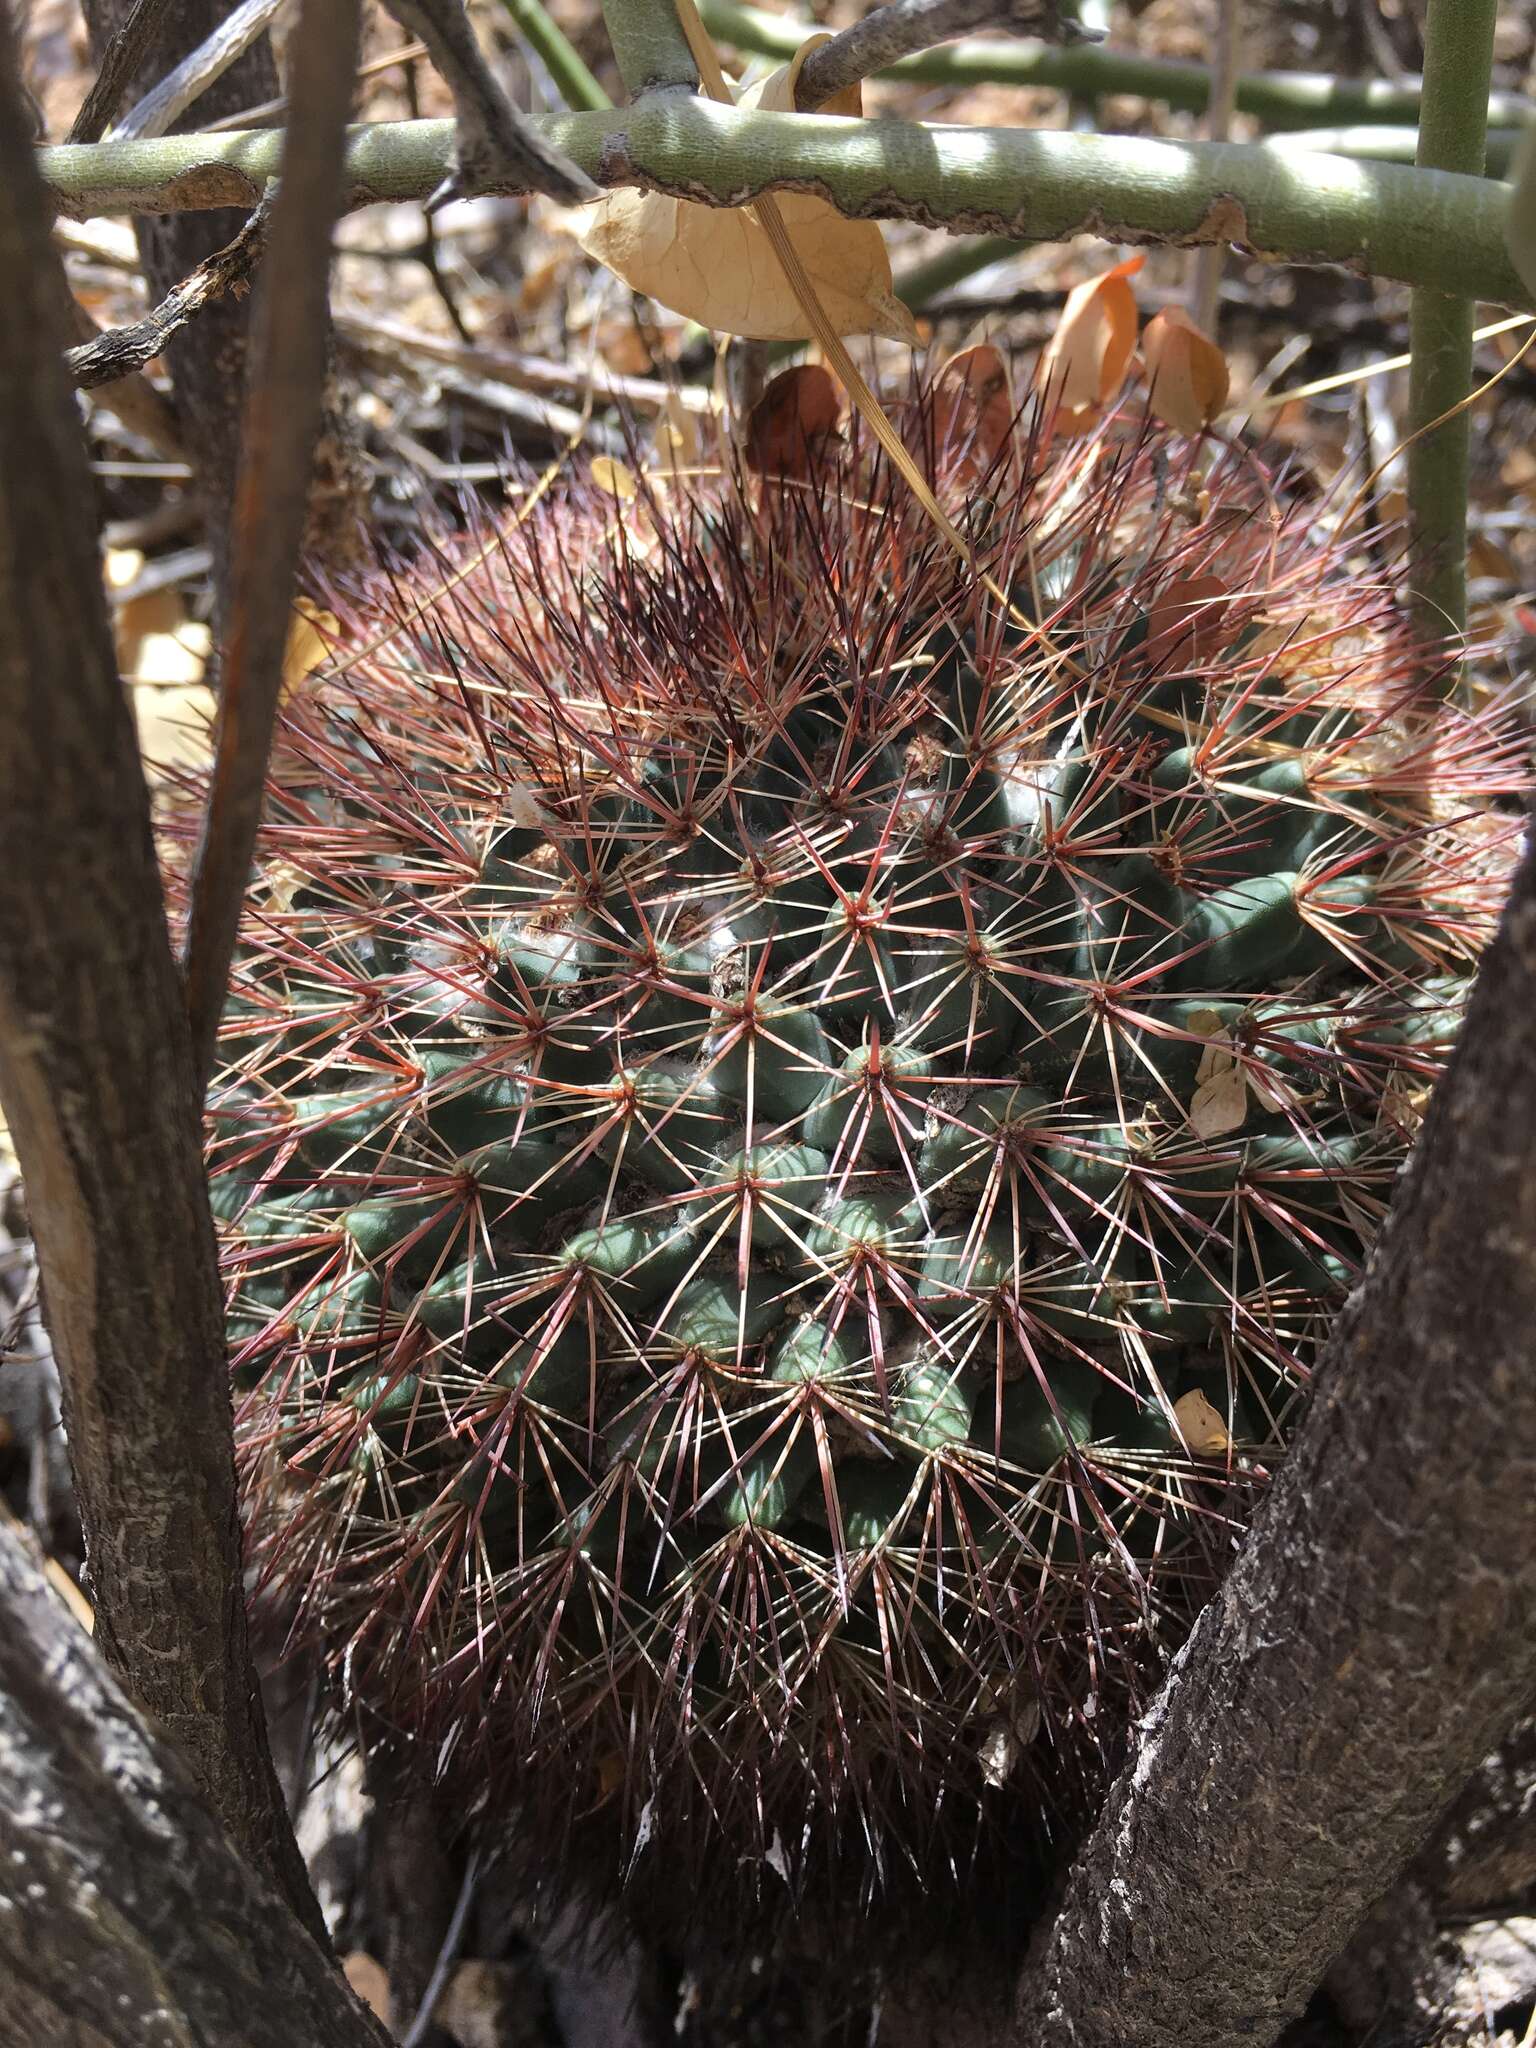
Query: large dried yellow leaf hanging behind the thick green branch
{"points": [[716, 265]]}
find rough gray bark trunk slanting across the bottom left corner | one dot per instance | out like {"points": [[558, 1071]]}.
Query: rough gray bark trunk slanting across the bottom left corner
{"points": [[126, 1916]]}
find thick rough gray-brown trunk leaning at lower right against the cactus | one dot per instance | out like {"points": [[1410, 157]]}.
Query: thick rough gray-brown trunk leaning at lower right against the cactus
{"points": [[1377, 1635]]}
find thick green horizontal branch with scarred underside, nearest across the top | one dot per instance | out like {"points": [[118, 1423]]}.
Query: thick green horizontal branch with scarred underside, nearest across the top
{"points": [[1388, 220]]}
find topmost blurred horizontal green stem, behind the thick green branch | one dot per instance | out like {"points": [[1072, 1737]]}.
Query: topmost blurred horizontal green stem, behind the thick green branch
{"points": [[1283, 99]]}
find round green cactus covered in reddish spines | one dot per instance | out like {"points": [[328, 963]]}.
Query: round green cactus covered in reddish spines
{"points": [[792, 1132]]}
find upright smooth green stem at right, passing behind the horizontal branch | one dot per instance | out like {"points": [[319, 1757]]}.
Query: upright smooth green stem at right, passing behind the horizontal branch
{"points": [[1453, 138]]}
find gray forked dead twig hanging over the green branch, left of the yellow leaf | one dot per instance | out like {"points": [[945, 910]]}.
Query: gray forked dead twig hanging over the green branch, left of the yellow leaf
{"points": [[493, 140]]}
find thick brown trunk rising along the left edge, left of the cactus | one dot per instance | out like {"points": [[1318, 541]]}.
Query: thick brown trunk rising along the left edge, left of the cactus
{"points": [[99, 1086]]}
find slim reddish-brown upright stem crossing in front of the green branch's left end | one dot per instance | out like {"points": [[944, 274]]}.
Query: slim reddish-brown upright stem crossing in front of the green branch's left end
{"points": [[284, 411]]}
